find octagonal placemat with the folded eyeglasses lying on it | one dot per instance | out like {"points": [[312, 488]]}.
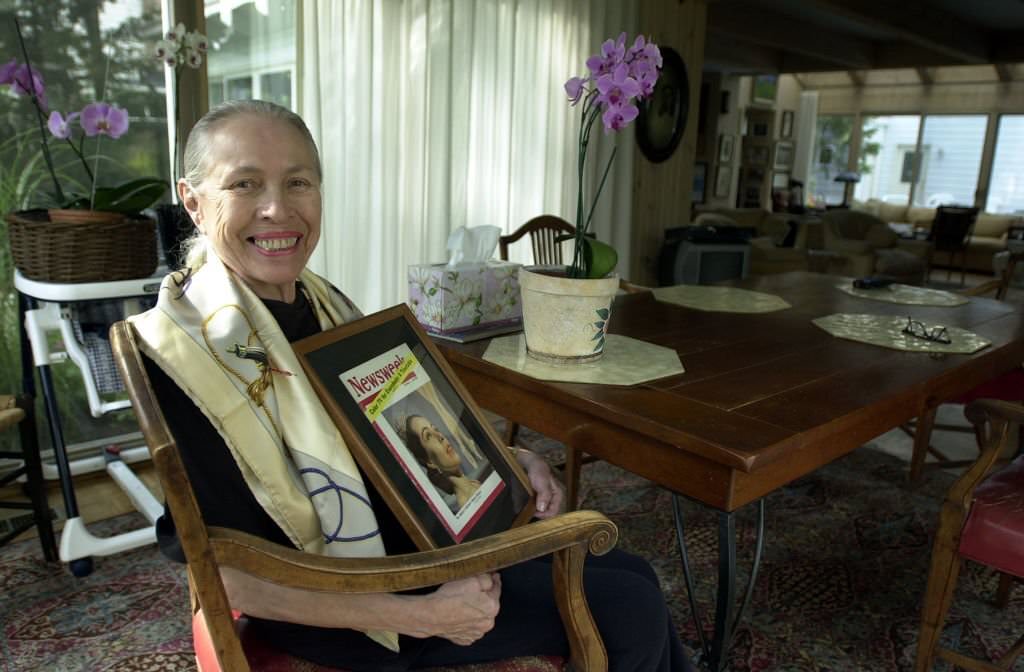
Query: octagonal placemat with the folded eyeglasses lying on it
{"points": [[887, 331]]}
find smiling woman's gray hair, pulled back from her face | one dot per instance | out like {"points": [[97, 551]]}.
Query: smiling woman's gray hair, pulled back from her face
{"points": [[198, 150]]}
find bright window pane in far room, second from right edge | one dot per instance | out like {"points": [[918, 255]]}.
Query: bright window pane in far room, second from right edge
{"points": [[950, 160]]}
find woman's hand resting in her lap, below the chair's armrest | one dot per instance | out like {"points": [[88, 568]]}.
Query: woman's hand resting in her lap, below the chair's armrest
{"points": [[464, 611]]}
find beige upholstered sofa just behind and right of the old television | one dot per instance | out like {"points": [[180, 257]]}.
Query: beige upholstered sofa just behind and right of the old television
{"points": [[773, 248]]}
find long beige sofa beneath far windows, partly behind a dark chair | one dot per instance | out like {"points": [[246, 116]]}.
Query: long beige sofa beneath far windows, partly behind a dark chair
{"points": [[988, 238]]}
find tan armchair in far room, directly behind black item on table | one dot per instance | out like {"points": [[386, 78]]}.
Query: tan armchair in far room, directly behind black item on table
{"points": [[868, 246]]}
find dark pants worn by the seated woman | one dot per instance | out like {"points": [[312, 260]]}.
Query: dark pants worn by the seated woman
{"points": [[622, 592]]}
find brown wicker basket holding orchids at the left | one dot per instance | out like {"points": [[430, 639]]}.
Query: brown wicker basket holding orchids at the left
{"points": [[100, 249]]}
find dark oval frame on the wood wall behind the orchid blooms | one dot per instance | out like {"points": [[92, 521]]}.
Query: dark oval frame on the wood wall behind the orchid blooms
{"points": [[664, 114]]}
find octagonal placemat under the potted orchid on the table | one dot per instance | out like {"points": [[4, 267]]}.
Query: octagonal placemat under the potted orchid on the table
{"points": [[626, 362]]}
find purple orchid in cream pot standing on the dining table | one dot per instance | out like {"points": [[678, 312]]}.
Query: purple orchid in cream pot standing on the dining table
{"points": [[567, 311]]}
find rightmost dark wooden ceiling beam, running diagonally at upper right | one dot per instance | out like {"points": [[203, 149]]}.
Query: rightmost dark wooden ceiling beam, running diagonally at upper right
{"points": [[921, 23]]}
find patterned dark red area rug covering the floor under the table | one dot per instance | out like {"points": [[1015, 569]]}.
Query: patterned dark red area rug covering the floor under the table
{"points": [[844, 571]]}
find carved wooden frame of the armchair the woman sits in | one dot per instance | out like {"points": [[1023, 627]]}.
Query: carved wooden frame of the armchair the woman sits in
{"points": [[569, 537]]}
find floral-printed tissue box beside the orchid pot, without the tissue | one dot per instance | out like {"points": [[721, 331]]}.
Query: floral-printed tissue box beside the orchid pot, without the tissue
{"points": [[472, 298]]}
